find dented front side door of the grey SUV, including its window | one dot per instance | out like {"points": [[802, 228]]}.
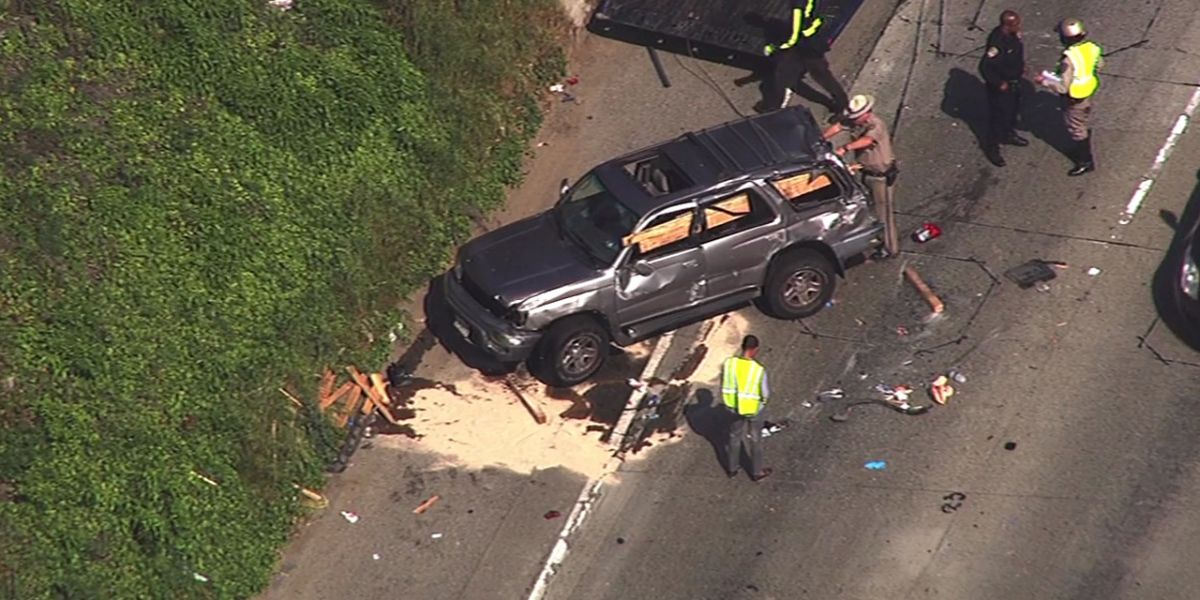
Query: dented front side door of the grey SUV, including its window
{"points": [[663, 271]]}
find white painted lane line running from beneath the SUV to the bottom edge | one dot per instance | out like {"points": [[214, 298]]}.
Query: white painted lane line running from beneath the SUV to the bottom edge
{"points": [[591, 493]]}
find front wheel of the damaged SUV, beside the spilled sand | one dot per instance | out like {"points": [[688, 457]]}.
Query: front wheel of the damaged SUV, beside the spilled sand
{"points": [[572, 351]]}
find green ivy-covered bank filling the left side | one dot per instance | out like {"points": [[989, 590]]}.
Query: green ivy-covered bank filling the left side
{"points": [[202, 202]]}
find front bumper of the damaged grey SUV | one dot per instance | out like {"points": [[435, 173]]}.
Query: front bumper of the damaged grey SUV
{"points": [[484, 329]]}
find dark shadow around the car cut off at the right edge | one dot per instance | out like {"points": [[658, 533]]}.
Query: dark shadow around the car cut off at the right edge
{"points": [[1167, 277]]}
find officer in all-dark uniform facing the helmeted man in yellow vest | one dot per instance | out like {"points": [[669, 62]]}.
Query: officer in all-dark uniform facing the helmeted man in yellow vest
{"points": [[1001, 68]]}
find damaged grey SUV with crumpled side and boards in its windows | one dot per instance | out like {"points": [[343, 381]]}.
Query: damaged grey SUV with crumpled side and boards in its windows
{"points": [[758, 209]]}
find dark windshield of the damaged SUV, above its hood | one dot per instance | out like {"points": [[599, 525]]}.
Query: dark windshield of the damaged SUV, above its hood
{"points": [[592, 218]]}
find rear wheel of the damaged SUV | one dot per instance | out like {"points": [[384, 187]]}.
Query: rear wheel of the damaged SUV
{"points": [[799, 285]]}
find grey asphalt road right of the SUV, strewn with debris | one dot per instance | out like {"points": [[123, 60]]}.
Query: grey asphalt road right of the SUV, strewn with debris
{"points": [[1070, 455]]}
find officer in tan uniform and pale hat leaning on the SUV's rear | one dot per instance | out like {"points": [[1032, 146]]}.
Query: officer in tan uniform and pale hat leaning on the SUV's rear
{"points": [[873, 143]]}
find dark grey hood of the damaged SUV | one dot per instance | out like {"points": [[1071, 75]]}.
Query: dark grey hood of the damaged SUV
{"points": [[523, 260]]}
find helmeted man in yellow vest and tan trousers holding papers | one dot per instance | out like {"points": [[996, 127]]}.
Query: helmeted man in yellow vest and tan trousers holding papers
{"points": [[1076, 81]]}
